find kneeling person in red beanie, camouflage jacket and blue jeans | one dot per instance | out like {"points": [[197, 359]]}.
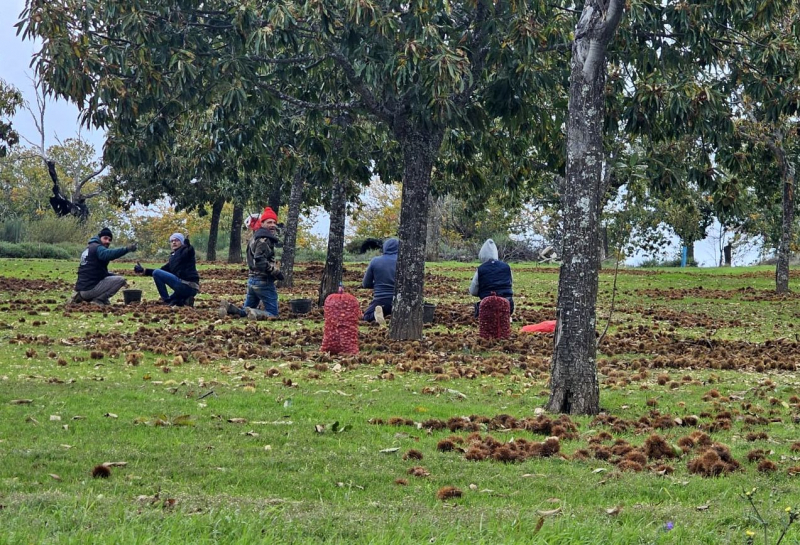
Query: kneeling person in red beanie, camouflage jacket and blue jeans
{"points": [[263, 271]]}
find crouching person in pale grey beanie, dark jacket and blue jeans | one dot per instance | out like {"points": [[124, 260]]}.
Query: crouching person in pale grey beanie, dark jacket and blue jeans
{"points": [[179, 273]]}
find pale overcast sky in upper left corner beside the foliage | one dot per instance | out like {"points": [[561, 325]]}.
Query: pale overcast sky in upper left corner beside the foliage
{"points": [[61, 118]]}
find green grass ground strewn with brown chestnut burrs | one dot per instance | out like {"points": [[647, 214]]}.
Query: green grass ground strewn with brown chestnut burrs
{"points": [[233, 431]]}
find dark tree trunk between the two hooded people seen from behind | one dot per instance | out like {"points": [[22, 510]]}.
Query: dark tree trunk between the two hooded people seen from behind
{"points": [[420, 148]]}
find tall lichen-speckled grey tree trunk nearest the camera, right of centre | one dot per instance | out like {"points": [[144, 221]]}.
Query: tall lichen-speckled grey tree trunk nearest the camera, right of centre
{"points": [[573, 374]]}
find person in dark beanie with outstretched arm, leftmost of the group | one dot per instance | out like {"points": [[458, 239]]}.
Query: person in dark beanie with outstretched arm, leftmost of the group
{"points": [[95, 284]]}
